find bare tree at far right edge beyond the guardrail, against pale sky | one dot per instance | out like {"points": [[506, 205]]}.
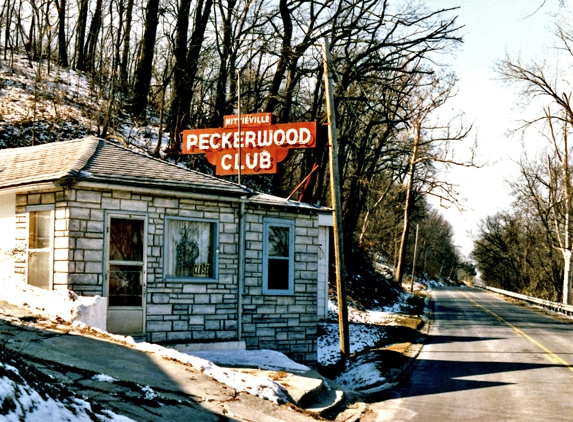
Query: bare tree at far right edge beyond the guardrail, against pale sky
{"points": [[554, 122]]}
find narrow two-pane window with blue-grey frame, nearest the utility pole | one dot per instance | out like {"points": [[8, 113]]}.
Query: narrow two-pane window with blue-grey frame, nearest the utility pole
{"points": [[278, 256]]}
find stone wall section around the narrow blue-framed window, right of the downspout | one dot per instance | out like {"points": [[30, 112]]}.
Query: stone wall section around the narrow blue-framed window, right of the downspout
{"points": [[286, 323]]}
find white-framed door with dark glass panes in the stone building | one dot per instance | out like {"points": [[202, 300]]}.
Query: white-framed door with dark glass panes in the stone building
{"points": [[125, 273]]}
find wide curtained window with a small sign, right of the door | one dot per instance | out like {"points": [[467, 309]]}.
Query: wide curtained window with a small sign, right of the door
{"points": [[190, 247]]}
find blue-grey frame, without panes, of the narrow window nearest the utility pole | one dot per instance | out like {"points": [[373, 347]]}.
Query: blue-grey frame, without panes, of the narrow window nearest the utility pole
{"points": [[278, 222]]}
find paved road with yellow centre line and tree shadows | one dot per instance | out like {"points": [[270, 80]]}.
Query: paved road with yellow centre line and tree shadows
{"points": [[486, 360]]}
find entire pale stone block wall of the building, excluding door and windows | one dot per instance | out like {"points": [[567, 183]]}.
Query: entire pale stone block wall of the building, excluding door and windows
{"points": [[189, 310]]}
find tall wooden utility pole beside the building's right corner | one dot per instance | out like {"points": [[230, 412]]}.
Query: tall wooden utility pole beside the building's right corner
{"points": [[337, 205]]}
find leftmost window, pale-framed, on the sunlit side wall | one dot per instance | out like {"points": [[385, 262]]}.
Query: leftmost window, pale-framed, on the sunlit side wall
{"points": [[40, 234]]}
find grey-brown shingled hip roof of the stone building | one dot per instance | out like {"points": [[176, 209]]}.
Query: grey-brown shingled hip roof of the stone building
{"points": [[97, 160]]}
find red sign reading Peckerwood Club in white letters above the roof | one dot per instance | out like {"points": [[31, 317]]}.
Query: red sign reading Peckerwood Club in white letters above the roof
{"points": [[262, 144]]}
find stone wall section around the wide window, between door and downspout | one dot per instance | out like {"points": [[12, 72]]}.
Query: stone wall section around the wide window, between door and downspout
{"points": [[190, 310]]}
